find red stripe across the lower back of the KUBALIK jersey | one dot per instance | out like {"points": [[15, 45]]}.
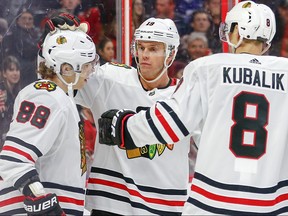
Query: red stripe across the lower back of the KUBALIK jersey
{"points": [[240, 201]]}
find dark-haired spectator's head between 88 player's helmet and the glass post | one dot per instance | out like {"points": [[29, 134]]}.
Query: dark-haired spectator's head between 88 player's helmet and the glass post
{"points": [[106, 50]]}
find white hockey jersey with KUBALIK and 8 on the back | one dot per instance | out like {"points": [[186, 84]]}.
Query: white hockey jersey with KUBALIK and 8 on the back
{"points": [[240, 103]]}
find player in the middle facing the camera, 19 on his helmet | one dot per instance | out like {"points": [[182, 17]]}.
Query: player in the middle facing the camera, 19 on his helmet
{"points": [[141, 181]]}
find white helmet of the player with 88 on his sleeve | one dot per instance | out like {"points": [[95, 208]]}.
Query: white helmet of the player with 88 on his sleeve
{"points": [[73, 47]]}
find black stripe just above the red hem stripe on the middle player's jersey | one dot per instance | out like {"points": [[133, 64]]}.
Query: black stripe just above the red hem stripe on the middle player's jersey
{"points": [[140, 187]]}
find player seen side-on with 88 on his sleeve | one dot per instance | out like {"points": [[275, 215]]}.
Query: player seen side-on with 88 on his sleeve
{"points": [[43, 158]]}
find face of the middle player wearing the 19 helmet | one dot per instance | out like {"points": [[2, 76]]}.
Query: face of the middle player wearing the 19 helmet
{"points": [[151, 56]]}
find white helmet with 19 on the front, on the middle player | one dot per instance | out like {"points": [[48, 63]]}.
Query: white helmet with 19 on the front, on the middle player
{"points": [[158, 30]]}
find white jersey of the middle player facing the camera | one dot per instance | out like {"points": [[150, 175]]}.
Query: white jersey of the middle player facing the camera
{"points": [[151, 180]]}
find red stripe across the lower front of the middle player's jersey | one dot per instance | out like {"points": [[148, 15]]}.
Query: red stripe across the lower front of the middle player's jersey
{"points": [[136, 193]]}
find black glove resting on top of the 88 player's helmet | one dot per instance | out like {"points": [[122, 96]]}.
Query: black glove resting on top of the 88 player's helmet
{"points": [[62, 21]]}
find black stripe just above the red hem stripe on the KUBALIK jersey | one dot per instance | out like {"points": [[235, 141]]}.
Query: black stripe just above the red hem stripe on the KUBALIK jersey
{"points": [[242, 188]]}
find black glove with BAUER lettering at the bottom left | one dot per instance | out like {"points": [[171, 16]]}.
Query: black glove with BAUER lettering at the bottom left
{"points": [[43, 205]]}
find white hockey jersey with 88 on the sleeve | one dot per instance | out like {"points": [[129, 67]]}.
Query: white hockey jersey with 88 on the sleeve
{"points": [[44, 138]]}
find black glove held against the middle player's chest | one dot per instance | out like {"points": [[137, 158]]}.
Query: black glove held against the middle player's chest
{"points": [[112, 128]]}
